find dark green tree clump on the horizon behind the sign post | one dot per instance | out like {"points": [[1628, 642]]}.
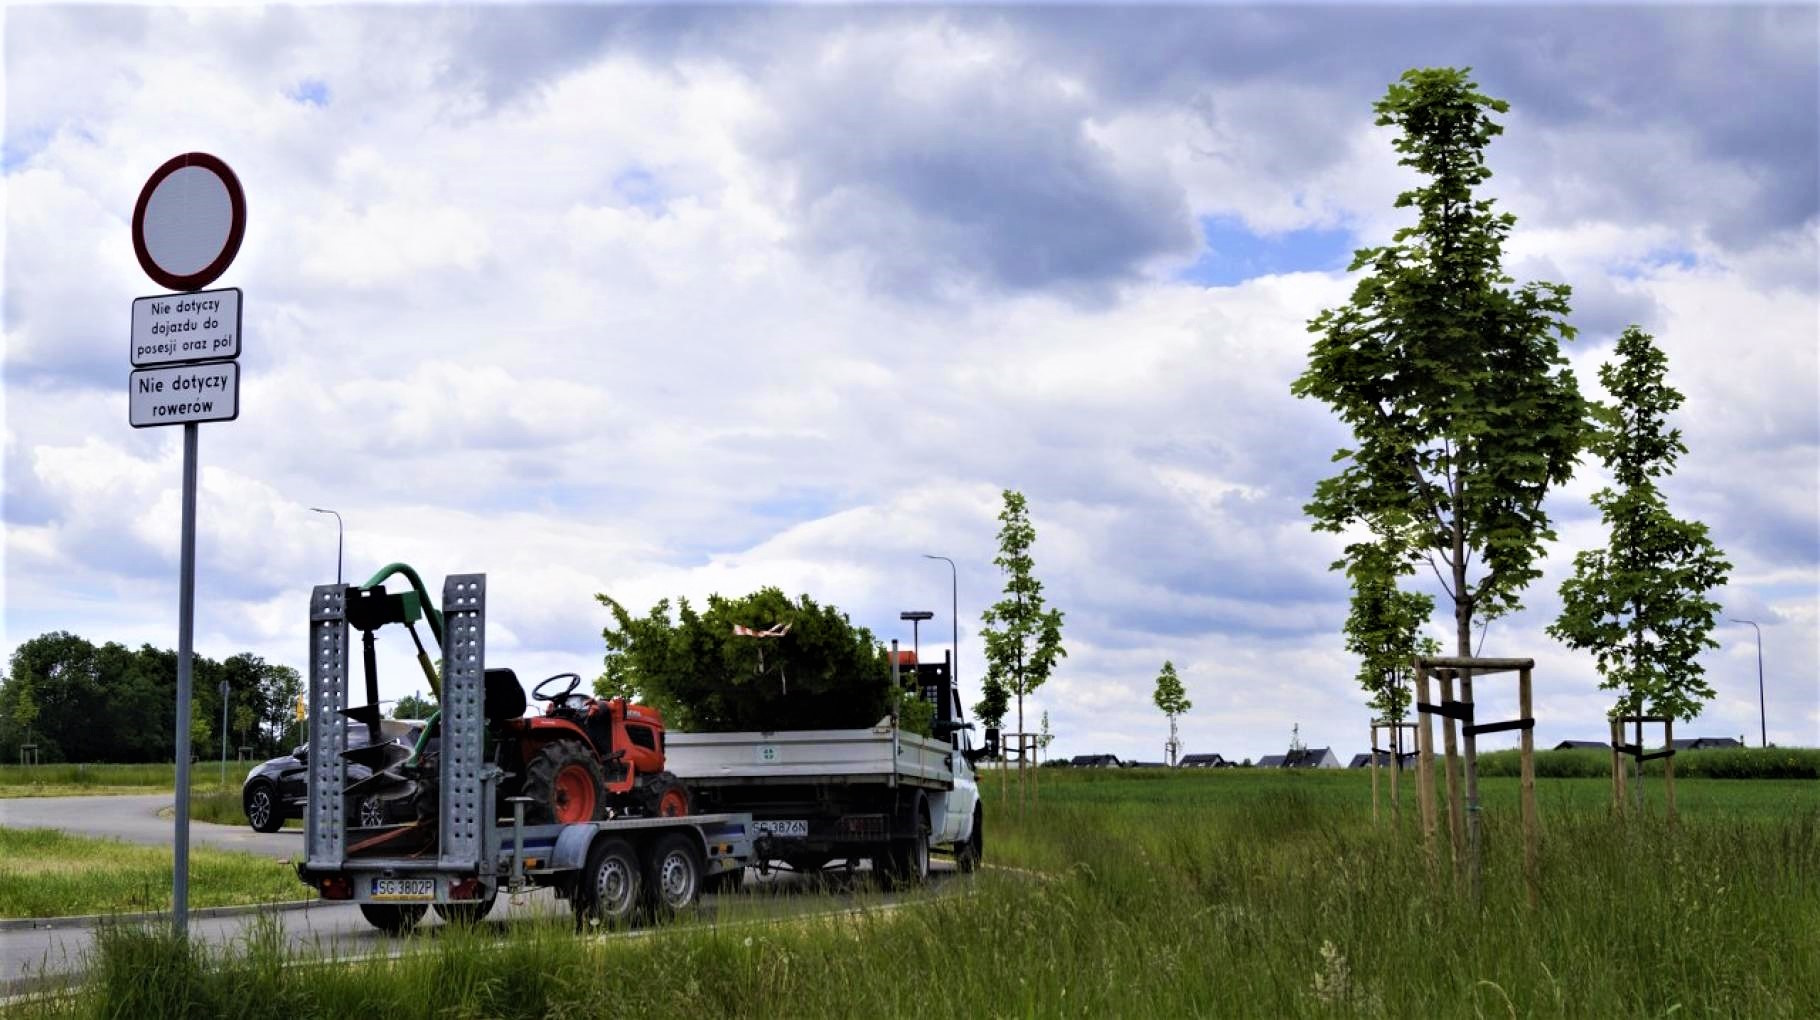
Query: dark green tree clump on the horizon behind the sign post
{"points": [[85, 702]]}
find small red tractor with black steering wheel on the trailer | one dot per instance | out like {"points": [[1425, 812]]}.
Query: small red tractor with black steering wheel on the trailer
{"points": [[585, 759]]}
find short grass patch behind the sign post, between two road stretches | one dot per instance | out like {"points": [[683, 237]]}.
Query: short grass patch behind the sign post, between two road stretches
{"points": [[48, 875]]}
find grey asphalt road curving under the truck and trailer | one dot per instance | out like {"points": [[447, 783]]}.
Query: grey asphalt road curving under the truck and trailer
{"points": [[325, 928]]}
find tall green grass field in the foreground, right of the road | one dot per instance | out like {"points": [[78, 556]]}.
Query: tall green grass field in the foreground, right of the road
{"points": [[1228, 893]]}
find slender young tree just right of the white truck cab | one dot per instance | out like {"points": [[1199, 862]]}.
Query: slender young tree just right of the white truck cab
{"points": [[1022, 637]]}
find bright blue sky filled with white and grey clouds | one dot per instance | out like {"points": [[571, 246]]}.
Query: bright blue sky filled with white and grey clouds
{"points": [[687, 301]]}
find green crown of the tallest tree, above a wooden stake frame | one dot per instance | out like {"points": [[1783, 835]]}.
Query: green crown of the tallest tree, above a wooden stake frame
{"points": [[1461, 403]]}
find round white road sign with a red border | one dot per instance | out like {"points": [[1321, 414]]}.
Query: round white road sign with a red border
{"points": [[188, 221]]}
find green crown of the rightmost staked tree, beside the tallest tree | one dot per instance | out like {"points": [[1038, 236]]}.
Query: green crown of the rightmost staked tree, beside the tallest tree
{"points": [[1641, 604]]}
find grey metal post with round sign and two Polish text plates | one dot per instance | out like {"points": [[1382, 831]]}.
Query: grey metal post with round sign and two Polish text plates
{"points": [[187, 230]]}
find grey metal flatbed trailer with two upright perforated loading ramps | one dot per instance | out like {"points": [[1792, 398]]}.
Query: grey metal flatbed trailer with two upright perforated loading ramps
{"points": [[467, 853]]}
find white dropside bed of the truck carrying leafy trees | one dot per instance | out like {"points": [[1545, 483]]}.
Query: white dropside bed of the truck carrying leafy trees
{"points": [[878, 755]]}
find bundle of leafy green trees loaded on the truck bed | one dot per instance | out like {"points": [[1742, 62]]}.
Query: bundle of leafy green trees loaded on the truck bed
{"points": [[824, 675]]}
